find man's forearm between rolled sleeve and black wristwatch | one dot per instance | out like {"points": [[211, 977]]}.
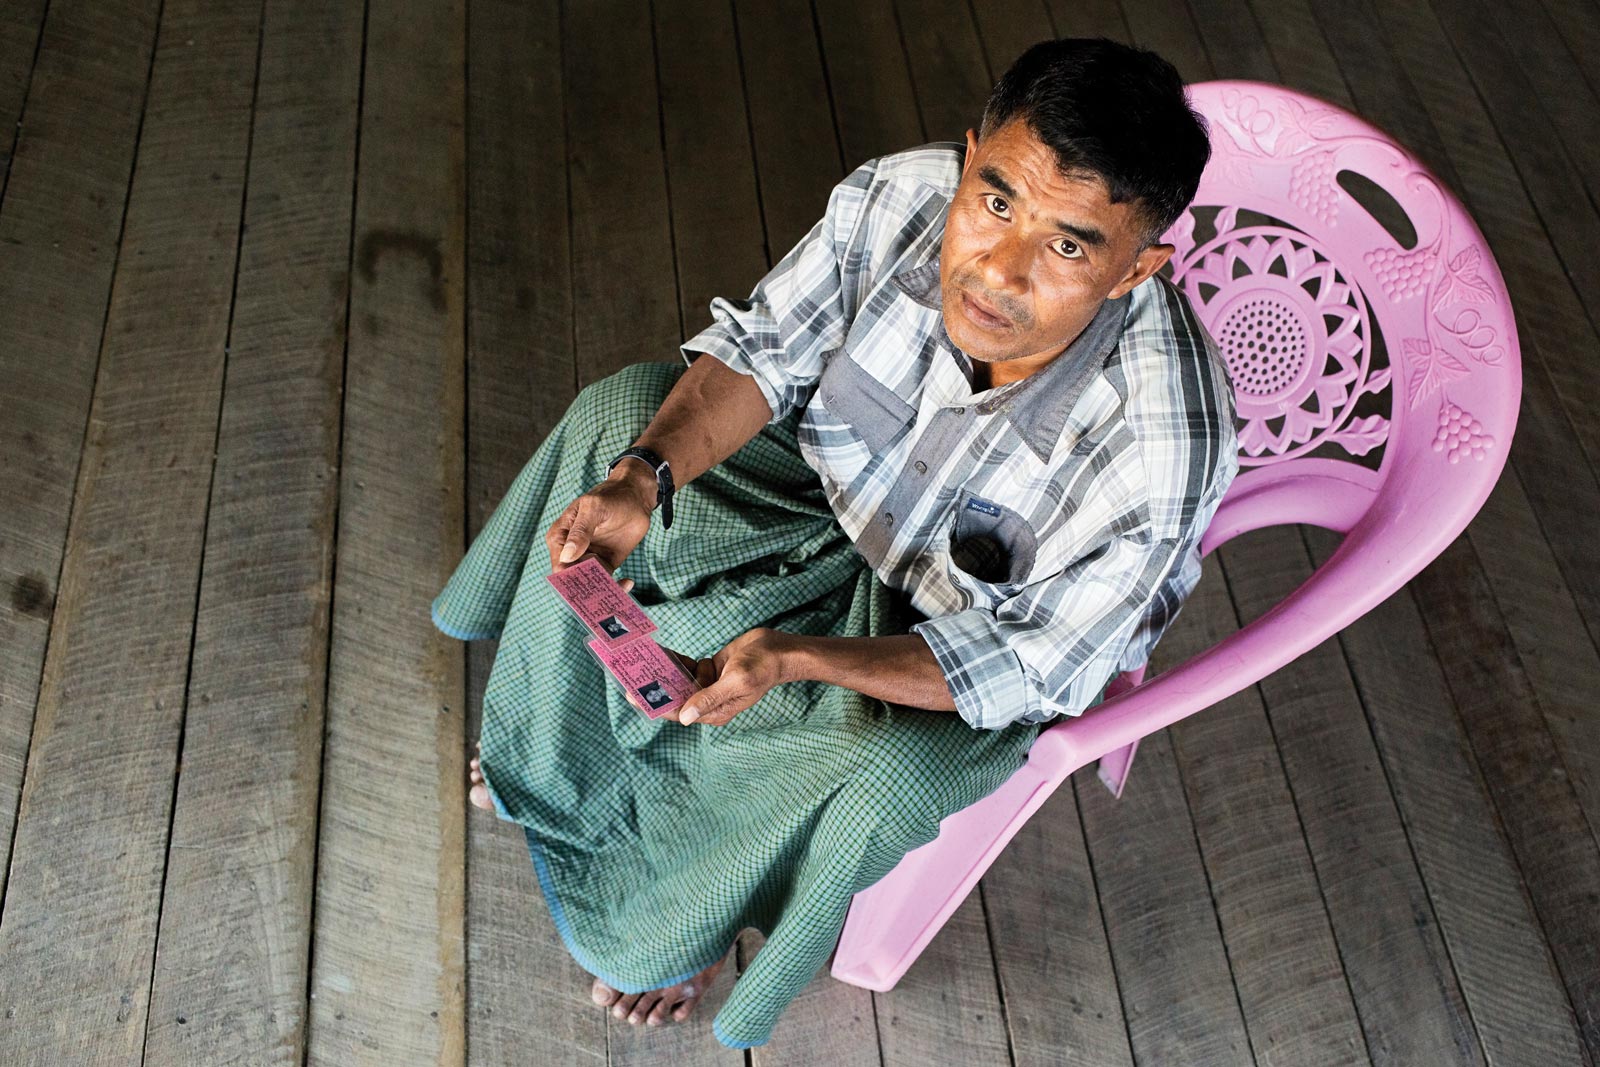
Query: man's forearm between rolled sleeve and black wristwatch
{"points": [[711, 414]]}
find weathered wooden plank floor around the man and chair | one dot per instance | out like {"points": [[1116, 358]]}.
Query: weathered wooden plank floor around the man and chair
{"points": [[292, 289]]}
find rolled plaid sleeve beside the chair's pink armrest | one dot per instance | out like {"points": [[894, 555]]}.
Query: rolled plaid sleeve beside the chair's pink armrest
{"points": [[1052, 649]]}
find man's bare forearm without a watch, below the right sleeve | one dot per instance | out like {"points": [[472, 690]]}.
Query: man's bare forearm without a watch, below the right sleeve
{"points": [[900, 669]]}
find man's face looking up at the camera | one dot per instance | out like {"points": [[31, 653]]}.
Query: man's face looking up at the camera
{"points": [[1039, 250]]}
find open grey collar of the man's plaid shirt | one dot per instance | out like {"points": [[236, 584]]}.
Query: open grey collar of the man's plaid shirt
{"points": [[1038, 406]]}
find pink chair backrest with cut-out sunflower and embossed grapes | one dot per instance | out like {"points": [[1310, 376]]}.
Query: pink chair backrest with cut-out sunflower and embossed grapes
{"points": [[1364, 321]]}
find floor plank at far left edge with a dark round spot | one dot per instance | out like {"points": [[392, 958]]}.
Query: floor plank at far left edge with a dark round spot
{"points": [[60, 226]]}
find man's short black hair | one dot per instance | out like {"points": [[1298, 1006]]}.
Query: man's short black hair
{"points": [[1111, 111]]}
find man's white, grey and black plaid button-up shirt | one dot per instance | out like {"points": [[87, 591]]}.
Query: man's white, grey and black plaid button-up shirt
{"points": [[1047, 529]]}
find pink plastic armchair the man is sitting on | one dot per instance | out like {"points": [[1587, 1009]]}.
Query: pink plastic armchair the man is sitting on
{"points": [[1377, 383]]}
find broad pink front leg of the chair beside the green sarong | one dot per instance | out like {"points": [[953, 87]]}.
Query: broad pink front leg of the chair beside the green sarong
{"points": [[892, 921]]}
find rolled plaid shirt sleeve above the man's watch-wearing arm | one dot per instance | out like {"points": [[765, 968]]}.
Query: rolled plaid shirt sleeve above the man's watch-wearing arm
{"points": [[798, 313]]}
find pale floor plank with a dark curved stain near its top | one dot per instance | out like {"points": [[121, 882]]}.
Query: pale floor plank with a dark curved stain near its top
{"points": [[388, 940]]}
